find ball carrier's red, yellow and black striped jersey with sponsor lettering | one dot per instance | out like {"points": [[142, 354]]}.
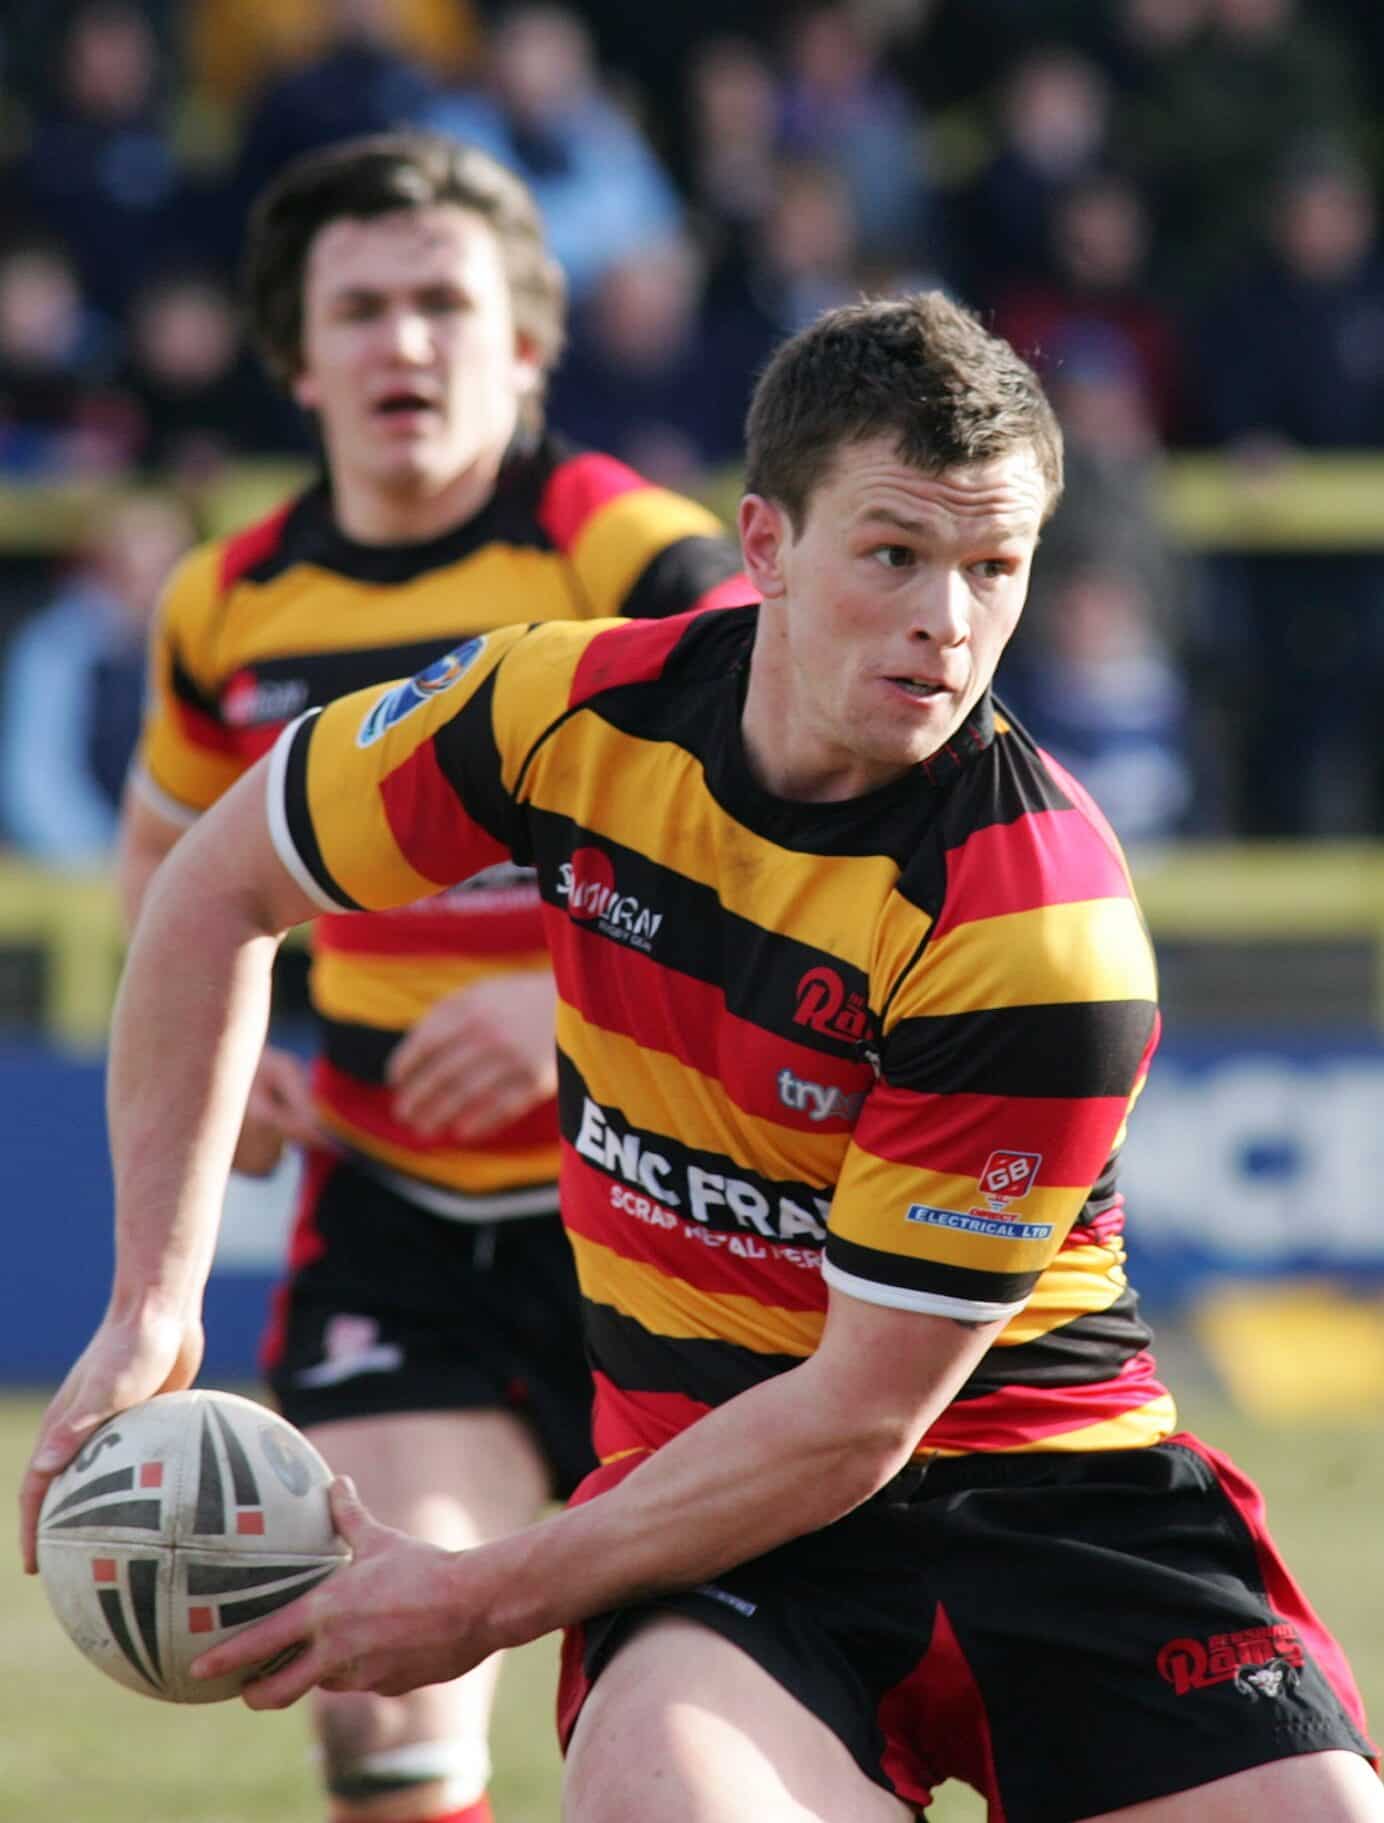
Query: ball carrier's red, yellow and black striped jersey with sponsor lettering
{"points": [[889, 1042]]}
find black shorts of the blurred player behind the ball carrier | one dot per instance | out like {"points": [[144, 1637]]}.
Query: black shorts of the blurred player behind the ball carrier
{"points": [[389, 1308]]}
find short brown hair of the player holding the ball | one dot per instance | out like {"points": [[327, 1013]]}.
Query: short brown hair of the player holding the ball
{"points": [[918, 369]]}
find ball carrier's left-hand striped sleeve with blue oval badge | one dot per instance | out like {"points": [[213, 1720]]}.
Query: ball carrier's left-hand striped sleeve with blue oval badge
{"points": [[397, 792]]}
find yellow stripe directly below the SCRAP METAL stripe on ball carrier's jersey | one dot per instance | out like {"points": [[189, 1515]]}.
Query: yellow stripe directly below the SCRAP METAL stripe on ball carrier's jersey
{"points": [[670, 1308]]}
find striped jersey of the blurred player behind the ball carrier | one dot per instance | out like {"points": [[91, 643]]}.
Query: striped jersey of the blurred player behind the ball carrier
{"points": [[291, 615]]}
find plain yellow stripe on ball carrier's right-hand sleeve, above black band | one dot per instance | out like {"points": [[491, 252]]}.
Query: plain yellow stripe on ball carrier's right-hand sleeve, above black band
{"points": [[1091, 951]]}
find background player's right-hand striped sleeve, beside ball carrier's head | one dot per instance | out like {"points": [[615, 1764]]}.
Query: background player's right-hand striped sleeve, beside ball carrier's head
{"points": [[637, 550]]}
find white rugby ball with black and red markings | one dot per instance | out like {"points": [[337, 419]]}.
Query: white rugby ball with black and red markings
{"points": [[180, 1523]]}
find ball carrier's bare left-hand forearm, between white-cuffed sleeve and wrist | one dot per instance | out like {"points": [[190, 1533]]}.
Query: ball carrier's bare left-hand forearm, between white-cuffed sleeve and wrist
{"points": [[189, 1029]]}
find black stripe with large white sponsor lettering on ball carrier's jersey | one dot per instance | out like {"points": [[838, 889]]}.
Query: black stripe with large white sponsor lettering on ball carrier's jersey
{"points": [[707, 1188]]}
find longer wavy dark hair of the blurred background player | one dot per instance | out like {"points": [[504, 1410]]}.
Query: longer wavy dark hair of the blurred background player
{"points": [[377, 176]]}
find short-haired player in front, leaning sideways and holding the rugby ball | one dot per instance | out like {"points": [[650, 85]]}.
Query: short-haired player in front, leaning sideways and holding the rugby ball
{"points": [[854, 1007]]}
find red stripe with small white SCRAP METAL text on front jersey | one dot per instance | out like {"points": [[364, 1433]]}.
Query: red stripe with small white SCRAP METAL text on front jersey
{"points": [[635, 1226]]}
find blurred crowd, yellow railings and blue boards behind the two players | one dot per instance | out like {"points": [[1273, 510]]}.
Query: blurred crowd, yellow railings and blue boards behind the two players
{"points": [[1173, 207]]}
